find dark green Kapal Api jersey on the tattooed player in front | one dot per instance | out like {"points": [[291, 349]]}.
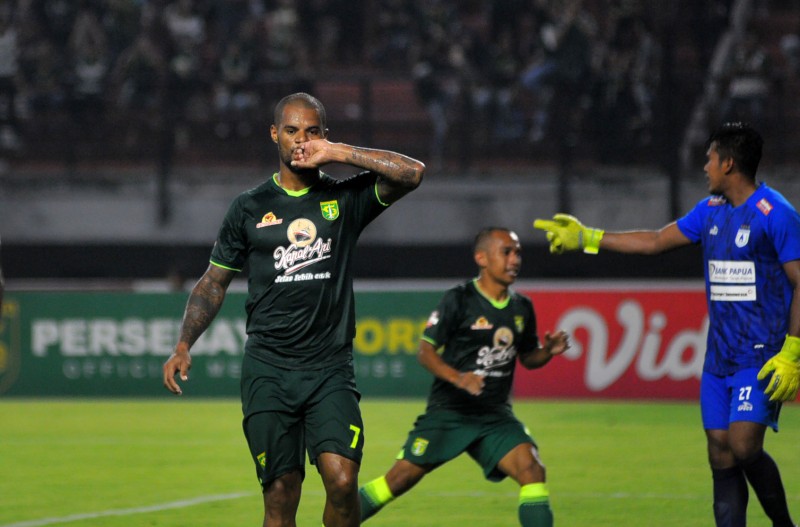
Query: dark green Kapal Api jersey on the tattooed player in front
{"points": [[298, 247]]}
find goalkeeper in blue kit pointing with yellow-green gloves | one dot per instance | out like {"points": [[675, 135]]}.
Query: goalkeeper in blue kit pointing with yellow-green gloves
{"points": [[750, 235]]}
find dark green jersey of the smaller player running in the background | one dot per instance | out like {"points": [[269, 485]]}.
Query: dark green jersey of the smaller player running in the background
{"points": [[483, 337]]}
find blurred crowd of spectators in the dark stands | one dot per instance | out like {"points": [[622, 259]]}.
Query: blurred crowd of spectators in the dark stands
{"points": [[450, 81]]}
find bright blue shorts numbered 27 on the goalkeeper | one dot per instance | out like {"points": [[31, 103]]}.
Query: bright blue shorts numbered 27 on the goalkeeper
{"points": [[737, 397]]}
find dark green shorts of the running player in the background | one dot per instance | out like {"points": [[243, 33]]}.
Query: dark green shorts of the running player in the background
{"points": [[441, 435]]}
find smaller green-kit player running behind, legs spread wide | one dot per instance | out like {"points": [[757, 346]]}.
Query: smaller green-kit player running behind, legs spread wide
{"points": [[484, 328]]}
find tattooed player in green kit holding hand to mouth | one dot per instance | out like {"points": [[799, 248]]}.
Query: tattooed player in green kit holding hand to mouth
{"points": [[297, 232]]}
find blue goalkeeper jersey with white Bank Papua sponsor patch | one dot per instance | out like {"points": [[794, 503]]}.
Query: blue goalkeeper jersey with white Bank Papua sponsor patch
{"points": [[748, 293]]}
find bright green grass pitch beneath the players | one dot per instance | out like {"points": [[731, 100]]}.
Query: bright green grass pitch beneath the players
{"points": [[180, 462]]}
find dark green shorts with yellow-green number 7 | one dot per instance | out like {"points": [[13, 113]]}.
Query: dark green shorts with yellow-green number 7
{"points": [[290, 412]]}
